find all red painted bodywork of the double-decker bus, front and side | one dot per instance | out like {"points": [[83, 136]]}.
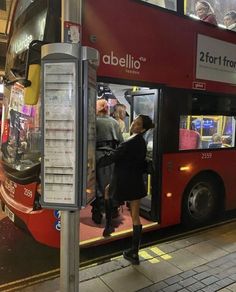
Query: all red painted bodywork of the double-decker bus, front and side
{"points": [[147, 45]]}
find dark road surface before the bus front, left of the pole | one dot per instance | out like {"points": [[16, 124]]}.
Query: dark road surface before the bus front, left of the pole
{"points": [[21, 256]]}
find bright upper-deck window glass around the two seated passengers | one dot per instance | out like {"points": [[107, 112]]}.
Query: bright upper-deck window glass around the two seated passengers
{"points": [[220, 9]]}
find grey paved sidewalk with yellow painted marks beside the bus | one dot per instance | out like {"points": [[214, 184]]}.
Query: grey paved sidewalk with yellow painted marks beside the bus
{"points": [[205, 261]]}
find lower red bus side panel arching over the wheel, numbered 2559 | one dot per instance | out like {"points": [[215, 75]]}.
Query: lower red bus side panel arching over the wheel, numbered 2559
{"points": [[175, 181]]}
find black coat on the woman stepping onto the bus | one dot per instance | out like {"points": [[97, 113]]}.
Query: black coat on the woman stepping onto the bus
{"points": [[129, 165]]}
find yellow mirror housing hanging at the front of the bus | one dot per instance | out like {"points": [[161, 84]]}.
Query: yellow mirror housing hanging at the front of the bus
{"points": [[31, 93]]}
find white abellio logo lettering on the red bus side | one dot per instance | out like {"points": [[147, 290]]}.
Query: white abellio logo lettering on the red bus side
{"points": [[128, 61]]}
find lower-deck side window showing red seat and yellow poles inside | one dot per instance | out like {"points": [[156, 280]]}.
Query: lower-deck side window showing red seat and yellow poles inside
{"points": [[204, 132]]}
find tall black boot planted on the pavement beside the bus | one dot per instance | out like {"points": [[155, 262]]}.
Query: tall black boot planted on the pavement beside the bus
{"points": [[132, 254]]}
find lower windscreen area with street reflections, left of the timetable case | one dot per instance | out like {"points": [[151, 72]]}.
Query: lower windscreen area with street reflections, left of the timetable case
{"points": [[22, 134]]}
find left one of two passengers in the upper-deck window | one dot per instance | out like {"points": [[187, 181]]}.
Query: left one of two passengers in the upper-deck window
{"points": [[205, 12]]}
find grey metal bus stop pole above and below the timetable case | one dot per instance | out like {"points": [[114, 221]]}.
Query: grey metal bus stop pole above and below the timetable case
{"points": [[69, 246]]}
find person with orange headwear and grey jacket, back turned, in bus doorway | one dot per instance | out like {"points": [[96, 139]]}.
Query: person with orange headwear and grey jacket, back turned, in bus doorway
{"points": [[108, 137]]}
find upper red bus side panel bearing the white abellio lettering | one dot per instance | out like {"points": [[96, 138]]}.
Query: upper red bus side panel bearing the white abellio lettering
{"points": [[149, 44]]}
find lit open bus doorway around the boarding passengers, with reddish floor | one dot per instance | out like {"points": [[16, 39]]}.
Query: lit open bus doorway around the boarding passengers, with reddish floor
{"points": [[137, 101]]}
